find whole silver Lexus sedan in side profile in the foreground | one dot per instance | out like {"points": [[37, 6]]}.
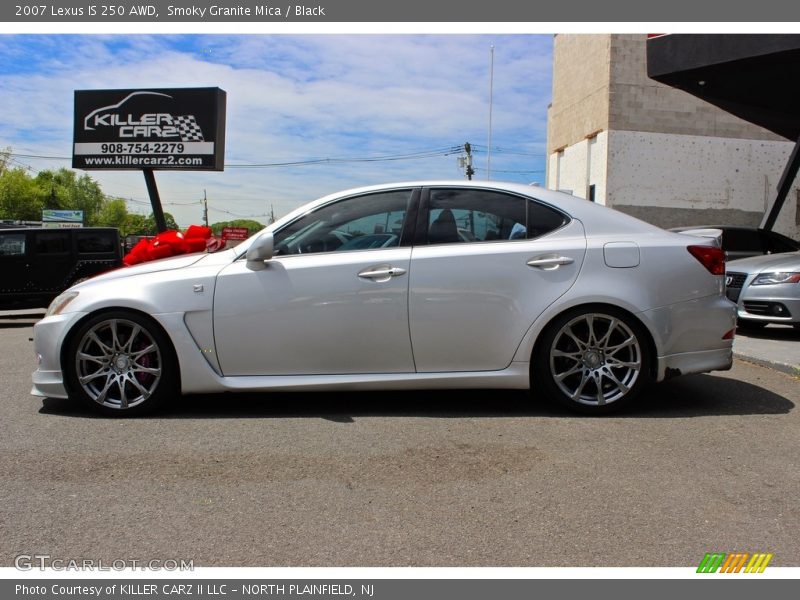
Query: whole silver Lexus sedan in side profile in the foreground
{"points": [[425, 285]]}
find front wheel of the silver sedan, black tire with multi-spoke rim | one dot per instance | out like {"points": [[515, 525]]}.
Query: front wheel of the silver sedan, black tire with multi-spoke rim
{"points": [[120, 364]]}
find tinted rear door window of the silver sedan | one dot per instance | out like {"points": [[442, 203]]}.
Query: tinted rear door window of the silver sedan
{"points": [[460, 215]]}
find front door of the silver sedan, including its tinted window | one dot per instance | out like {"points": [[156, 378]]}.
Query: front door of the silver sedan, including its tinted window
{"points": [[332, 300]]}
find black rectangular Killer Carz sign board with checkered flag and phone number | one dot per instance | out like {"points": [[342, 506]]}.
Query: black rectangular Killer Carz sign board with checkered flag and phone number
{"points": [[179, 129]]}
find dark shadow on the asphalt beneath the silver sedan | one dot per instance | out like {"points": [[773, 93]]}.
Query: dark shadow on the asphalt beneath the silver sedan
{"points": [[689, 396]]}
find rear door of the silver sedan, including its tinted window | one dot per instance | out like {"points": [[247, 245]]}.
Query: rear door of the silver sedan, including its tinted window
{"points": [[485, 265]]}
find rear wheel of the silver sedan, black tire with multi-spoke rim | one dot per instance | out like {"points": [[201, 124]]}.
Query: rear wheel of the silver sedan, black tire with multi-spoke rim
{"points": [[592, 360]]}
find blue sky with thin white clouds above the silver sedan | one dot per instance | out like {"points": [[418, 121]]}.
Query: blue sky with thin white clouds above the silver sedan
{"points": [[293, 98]]}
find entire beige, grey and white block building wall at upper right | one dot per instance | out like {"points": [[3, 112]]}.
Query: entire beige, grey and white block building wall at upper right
{"points": [[670, 158]]}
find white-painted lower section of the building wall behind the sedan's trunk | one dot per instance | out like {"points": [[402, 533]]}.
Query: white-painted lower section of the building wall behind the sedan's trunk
{"points": [[674, 180]]}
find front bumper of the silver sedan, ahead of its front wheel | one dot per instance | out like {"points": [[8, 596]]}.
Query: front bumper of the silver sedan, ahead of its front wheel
{"points": [[48, 336]]}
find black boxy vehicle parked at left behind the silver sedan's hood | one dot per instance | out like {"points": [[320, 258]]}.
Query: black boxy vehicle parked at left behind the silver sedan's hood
{"points": [[37, 264]]}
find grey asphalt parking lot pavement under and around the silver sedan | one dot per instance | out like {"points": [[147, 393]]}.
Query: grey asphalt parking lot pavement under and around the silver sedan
{"points": [[486, 478]]}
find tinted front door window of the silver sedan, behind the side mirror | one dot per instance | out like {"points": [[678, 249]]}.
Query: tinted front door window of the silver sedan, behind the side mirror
{"points": [[360, 223]]}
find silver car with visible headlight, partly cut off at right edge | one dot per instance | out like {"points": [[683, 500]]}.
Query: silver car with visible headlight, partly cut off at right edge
{"points": [[766, 289]]}
